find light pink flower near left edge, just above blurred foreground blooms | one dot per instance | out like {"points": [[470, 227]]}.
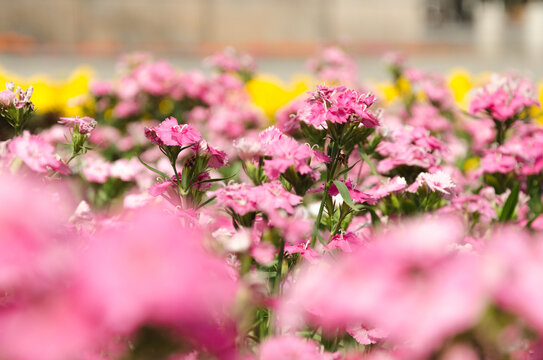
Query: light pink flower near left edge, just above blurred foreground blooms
{"points": [[36, 154]]}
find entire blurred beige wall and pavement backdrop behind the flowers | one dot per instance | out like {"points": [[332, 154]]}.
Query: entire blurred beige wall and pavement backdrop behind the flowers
{"points": [[55, 36]]}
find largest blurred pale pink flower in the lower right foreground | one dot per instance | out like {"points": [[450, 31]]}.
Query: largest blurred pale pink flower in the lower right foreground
{"points": [[410, 282]]}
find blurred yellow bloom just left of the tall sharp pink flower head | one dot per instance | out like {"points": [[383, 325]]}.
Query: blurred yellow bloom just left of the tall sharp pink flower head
{"points": [[270, 93]]}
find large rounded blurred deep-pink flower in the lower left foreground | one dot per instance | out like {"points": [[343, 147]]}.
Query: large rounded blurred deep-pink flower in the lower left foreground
{"points": [[141, 270]]}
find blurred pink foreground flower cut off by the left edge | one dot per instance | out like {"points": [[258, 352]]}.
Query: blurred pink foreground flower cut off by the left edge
{"points": [[32, 249]]}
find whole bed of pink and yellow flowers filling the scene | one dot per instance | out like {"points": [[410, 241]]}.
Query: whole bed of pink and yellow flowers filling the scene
{"points": [[181, 215]]}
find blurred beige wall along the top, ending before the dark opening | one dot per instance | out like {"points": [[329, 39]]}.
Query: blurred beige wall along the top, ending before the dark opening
{"points": [[225, 21]]}
